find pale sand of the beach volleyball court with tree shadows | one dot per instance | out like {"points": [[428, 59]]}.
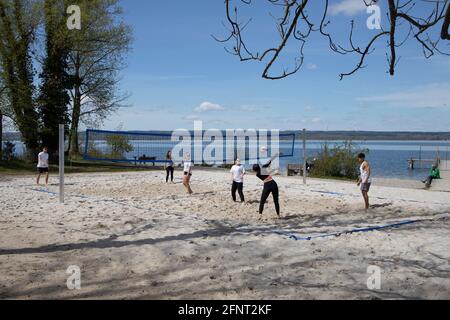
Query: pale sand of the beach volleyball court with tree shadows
{"points": [[136, 237]]}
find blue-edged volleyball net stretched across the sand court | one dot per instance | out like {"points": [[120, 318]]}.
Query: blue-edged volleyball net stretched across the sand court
{"points": [[221, 147]]}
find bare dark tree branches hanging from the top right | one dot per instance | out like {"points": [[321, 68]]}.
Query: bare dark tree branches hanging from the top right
{"points": [[294, 24]]}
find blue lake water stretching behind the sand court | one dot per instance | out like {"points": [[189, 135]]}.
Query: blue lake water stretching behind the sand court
{"points": [[387, 158]]}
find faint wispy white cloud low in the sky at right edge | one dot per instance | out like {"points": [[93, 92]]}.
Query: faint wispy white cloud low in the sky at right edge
{"points": [[435, 95]]}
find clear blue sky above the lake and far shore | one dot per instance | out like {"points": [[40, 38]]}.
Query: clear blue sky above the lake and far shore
{"points": [[177, 73]]}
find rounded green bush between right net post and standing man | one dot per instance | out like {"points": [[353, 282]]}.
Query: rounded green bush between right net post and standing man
{"points": [[339, 161]]}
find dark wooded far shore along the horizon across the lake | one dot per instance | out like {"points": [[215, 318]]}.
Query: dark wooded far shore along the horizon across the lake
{"points": [[329, 135]]}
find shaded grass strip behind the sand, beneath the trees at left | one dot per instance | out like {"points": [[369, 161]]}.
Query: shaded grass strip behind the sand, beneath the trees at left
{"points": [[19, 167]]}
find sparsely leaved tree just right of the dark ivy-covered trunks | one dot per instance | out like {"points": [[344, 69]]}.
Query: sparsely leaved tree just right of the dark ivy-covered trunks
{"points": [[96, 58]]}
